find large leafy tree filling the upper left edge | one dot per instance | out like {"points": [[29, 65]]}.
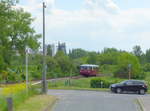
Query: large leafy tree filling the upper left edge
{"points": [[15, 34]]}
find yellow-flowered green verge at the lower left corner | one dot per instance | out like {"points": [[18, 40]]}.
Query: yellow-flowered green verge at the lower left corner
{"points": [[19, 95]]}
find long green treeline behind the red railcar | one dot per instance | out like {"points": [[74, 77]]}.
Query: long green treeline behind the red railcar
{"points": [[115, 62]]}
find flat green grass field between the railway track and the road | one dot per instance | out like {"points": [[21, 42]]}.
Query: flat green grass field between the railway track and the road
{"points": [[81, 83]]}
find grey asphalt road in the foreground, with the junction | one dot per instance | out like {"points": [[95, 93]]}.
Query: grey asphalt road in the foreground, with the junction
{"points": [[70, 100]]}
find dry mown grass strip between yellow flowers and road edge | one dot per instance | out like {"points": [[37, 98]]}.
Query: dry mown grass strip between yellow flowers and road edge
{"points": [[37, 103]]}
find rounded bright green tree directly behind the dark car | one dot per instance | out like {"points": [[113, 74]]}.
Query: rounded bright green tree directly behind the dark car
{"points": [[123, 62]]}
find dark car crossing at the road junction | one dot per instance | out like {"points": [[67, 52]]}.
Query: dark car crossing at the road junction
{"points": [[129, 86]]}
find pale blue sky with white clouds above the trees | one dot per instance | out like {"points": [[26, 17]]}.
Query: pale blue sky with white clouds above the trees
{"points": [[93, 24]]}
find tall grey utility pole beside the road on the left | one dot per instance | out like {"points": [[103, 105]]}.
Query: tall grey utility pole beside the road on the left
{"points": [[44, 88]]}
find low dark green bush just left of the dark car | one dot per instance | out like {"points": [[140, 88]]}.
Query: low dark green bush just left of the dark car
{"points": [[103, 82]]}
